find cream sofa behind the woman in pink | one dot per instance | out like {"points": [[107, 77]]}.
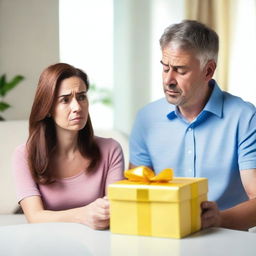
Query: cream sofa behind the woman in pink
{"points": [[13, 133]]}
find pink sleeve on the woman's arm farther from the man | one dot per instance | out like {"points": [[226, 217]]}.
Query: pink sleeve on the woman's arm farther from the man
{"points": [[25, 185]]}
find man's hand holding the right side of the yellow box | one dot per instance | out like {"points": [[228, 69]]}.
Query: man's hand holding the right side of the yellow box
{"points": [[210, 216]]}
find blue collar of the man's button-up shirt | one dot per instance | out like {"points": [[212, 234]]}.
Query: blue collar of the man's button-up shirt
{"points": [[214, 104]]}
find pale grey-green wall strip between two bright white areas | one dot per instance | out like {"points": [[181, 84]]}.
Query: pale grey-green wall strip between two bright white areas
{"points": [[131, 60]]}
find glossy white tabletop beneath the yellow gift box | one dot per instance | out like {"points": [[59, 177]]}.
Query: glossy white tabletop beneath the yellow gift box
{"points": [[76, 239]]}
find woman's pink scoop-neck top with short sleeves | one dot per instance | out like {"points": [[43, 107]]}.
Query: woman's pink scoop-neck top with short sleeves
{"points": [[75, 191]]}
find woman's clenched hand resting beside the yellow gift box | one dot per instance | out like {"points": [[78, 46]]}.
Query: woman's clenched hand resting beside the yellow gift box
{"points": [[97, 214]]}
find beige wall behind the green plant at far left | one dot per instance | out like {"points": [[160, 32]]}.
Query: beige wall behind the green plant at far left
{"points": [[29, 41]]}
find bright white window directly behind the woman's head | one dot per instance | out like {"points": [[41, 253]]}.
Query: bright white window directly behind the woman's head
{"points": [[86, 41]]}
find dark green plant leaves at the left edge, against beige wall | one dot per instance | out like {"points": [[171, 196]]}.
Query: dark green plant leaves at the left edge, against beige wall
{"points": [[5, 87]]}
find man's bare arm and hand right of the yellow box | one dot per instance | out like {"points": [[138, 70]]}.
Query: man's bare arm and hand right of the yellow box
{"points": [[241, 216]]}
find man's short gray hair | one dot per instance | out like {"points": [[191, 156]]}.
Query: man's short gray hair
{"points": [[191, 35]]}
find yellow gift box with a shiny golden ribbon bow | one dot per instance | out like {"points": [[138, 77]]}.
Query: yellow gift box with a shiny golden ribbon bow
{"points": [[156, 205]]}
